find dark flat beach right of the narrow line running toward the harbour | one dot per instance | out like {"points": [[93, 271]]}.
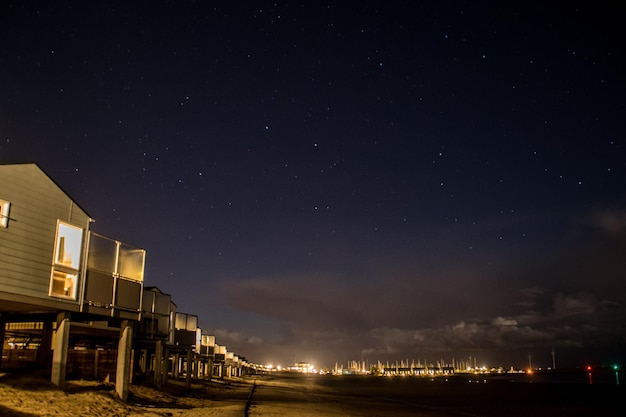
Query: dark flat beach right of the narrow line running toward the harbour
{"points": [[302, 396]]}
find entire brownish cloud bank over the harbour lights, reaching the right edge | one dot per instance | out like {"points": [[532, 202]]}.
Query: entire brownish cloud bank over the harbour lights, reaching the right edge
{"points": [[571, 299]]}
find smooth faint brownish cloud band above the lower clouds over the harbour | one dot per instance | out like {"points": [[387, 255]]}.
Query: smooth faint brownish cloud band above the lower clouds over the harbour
{"points": [[400, 295]]}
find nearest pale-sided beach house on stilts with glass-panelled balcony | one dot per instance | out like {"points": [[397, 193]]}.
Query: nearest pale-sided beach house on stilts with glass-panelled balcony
{"points": [[55, 272]]}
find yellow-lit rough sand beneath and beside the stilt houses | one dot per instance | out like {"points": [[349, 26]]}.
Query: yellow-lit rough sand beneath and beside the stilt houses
{"points": [[30, 395]]}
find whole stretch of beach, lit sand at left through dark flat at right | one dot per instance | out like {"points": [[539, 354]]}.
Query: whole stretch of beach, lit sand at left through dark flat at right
{"points": [[303, 396]]}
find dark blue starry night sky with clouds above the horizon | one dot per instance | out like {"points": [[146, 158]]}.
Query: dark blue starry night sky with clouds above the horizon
{"points": [[331, 181]]}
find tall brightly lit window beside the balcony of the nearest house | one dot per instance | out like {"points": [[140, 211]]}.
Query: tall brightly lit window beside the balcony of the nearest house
{"points": [[66, 261]]}
